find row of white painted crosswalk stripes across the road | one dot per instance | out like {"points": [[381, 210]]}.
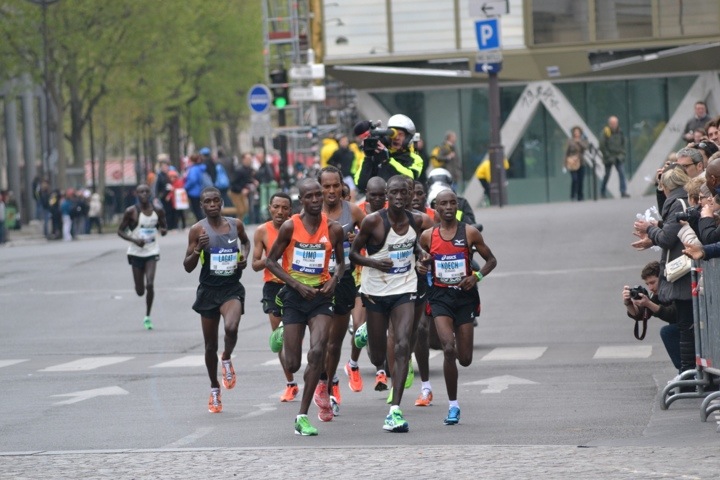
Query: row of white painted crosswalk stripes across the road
{"points": [[498, 354]]}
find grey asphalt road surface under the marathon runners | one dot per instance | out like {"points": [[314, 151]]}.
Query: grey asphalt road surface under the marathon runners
{"points": [[555, 361]]}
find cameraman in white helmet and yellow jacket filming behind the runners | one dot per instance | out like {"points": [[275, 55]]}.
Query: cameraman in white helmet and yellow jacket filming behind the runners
{"points": [[387, 152]]}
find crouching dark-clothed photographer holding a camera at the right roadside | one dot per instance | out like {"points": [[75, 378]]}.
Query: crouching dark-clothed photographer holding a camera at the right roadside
{"points": [[641, 306]]}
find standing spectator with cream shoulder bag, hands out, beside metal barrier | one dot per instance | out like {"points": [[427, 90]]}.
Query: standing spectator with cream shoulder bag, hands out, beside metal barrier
{"points": [[674, 282]]}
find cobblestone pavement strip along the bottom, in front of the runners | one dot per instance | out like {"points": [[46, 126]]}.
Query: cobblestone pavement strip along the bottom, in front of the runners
{"points": [[471, 461]]}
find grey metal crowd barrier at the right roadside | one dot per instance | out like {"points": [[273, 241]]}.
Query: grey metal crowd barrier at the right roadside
{"points": [[706, 313]]}
